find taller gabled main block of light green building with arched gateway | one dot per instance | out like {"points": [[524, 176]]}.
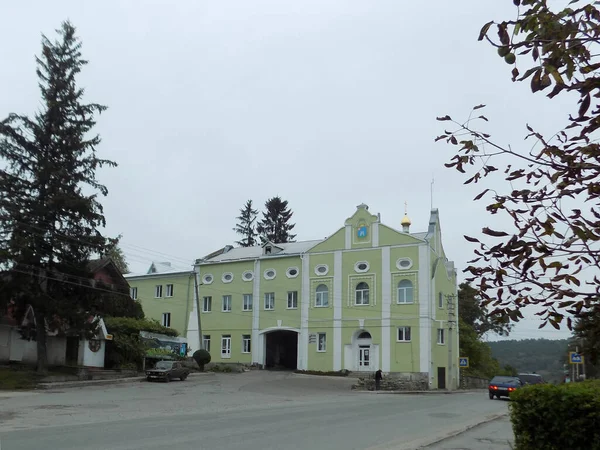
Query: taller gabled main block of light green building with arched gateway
{"points": [[368, 297]]}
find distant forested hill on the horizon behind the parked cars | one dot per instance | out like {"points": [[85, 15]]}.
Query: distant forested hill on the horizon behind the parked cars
{"points": [[542, 356]]}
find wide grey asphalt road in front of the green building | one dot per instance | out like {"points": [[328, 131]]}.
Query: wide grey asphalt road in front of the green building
{"points": [[256, 410]]}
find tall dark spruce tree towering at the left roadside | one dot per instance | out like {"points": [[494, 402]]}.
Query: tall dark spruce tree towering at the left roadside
{"points": [[49, 197]]}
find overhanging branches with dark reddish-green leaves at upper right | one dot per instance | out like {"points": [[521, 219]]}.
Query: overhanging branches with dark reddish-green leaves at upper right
{"points": [[552, 189]]}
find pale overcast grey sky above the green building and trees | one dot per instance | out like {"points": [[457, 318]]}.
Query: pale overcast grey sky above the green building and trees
{"points": [[327, 103]]}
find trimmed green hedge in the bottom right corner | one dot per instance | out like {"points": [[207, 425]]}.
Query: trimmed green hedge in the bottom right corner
{"points": [[553, 417]]}
